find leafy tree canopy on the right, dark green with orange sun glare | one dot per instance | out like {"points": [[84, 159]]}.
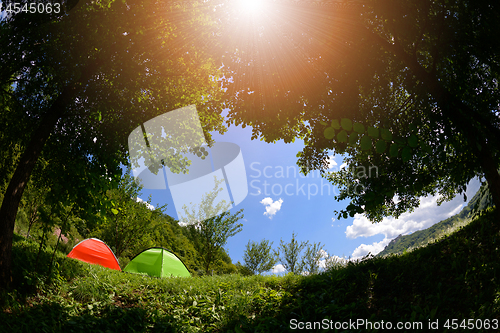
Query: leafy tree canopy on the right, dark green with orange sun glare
{"points": [[426, 72]]}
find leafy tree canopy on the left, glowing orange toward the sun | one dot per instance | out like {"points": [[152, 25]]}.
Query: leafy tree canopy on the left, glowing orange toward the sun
{"points": [[74, 85]]}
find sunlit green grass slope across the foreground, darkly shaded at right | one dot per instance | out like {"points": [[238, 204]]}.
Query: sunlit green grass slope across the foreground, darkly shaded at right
{"points": [[443, 284]]}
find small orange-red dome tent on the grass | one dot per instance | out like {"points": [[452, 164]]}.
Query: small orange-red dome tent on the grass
{"points": [[95, 251]]}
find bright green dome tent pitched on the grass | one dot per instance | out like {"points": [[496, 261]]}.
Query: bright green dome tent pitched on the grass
{"points": [[157, 262]]}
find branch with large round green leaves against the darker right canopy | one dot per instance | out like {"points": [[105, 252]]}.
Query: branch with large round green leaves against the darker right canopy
{"points": [[373, 139]]}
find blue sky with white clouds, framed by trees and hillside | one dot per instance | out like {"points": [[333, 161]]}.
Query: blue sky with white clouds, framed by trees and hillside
{"points": [[281, 201]]}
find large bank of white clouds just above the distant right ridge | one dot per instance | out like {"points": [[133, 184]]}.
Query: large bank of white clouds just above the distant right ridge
{"points": [[424, 216]]}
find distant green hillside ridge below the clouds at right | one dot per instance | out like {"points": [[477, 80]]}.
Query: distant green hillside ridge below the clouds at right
{"points": [[423, 237]]}
